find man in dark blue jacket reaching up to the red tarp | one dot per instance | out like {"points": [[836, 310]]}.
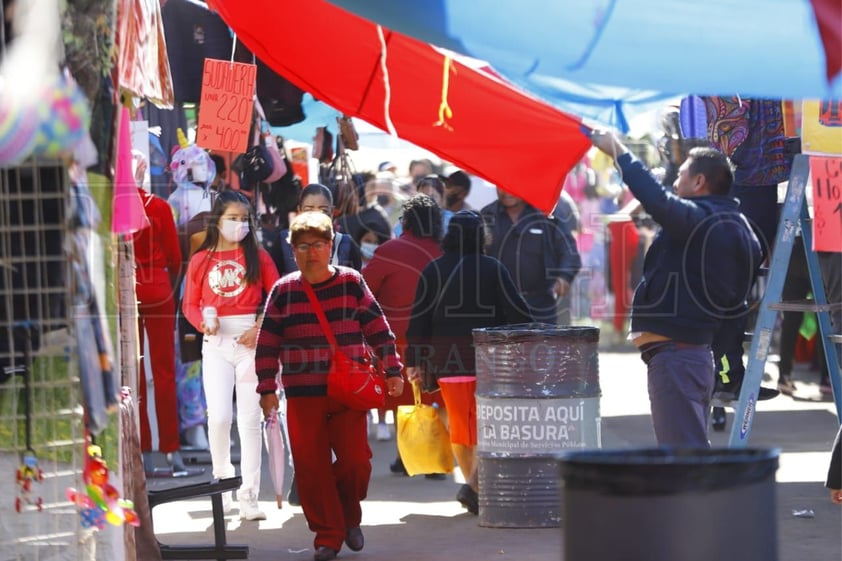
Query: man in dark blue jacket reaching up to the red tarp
{"points": [[697, 275]]}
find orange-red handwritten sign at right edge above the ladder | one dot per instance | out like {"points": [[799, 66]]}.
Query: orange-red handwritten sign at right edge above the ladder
{"points": [[827, 203]]}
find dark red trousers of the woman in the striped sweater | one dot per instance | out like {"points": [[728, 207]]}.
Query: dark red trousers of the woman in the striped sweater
{"points": [[330, 492]]}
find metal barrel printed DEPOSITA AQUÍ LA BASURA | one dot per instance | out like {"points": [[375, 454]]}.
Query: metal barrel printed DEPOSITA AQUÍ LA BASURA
{"points": [[537, 394]]}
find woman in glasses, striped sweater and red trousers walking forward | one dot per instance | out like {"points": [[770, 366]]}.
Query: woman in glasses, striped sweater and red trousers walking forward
{"points": [[319, 427]]}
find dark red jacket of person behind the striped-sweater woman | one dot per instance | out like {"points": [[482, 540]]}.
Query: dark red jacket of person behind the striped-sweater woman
{"points": [[392, 275]]}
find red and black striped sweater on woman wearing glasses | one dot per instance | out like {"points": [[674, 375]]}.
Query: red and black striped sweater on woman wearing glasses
{"points": [[291, 336]]}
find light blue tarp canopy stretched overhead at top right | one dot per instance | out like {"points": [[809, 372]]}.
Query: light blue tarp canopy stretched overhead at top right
{"points": [[608, 60]]}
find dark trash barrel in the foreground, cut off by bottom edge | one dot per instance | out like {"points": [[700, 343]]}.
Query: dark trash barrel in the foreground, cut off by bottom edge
{"points": [[670, 504]]}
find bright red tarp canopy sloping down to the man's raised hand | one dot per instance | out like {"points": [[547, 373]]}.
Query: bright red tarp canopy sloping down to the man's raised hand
{"points": [[497, 132]]}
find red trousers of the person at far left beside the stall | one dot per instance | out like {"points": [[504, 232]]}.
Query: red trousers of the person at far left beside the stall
{"points": [[156, 316]]}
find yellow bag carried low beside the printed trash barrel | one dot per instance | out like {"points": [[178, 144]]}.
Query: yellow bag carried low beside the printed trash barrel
{"points": [[423, 441]]}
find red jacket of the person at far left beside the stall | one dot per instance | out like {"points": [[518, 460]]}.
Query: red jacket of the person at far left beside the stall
{"points": [[156, 247]]}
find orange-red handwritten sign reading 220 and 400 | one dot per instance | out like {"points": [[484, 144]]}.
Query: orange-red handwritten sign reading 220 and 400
{"points": [[226, 106]]}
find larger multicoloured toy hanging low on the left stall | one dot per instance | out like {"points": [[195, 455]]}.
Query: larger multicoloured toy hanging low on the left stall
{"points": [[100, 502]]}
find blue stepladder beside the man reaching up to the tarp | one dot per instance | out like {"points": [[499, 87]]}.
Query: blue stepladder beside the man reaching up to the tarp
{"points": [[793, 215]]}
